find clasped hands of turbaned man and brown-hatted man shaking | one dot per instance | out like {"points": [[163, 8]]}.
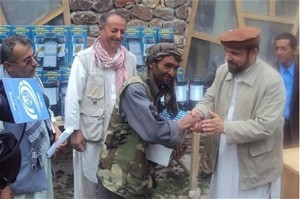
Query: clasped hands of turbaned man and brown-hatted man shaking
{"points": [[196, 121]]}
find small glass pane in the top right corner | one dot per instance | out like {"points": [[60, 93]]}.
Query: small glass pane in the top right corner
{"points": [[288, 8]]}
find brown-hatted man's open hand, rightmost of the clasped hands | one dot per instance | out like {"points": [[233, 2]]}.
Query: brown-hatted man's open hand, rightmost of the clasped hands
{"points": [[213, 126]]}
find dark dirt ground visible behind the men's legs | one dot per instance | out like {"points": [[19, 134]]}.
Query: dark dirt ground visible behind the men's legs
{"points": [[173, 181]]}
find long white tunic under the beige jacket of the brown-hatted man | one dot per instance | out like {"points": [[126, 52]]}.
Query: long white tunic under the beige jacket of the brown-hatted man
{"points": [[225, 179]]}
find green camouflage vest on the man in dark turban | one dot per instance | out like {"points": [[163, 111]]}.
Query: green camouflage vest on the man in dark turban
{"points": [[123, 167]]}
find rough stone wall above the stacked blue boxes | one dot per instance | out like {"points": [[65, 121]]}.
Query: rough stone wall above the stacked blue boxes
{"points": [[147, 13]]}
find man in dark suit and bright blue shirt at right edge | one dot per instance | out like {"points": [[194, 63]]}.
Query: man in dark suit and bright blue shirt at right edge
{"points": [[286, 49]]}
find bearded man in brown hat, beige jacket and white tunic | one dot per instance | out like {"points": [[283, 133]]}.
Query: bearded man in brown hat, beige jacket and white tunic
{"points": [[243, 112]]}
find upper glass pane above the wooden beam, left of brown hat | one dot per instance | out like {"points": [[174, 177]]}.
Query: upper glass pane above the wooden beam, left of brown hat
{"points": [[214, 17]]}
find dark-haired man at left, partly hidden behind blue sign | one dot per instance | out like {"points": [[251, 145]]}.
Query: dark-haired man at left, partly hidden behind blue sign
{"points": [[35, 176]]}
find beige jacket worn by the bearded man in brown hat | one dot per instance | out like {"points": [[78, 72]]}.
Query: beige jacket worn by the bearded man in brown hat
{"points": [[256, 128]]}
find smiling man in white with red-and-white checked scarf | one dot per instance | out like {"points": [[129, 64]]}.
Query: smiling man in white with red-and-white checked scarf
{"points": [[96, 75]]}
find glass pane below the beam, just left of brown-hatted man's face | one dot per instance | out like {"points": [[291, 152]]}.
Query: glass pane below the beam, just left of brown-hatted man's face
{"points": [[202, 54]]}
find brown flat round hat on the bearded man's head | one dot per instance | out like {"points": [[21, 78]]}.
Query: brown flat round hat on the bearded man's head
{"points": [[240, 37]]}
